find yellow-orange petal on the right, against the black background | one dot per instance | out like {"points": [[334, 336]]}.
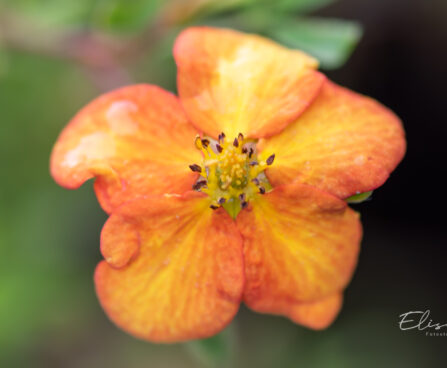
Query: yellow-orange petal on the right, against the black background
{"points": [[345, 143]]}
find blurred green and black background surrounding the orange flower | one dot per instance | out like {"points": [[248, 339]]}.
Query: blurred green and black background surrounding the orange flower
{"points": [[56, 55]]}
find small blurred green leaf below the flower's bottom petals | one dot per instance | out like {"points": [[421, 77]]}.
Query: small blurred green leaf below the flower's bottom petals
{"points": [[216, 351]]}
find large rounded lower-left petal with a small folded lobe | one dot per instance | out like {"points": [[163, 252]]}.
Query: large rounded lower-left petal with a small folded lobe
{"points": [[185, 276]]}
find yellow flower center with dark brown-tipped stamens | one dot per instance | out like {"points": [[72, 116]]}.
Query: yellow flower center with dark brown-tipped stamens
{"points": [[232, 172]]}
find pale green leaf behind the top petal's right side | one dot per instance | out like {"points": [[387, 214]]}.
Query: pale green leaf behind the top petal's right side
{"points": [[331, 41]]}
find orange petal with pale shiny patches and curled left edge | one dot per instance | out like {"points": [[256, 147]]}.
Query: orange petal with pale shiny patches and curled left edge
{"points": [[135, 140]]}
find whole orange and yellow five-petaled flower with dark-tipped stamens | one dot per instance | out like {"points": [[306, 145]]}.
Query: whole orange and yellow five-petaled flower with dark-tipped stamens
{"points": [[279, 235]]}
